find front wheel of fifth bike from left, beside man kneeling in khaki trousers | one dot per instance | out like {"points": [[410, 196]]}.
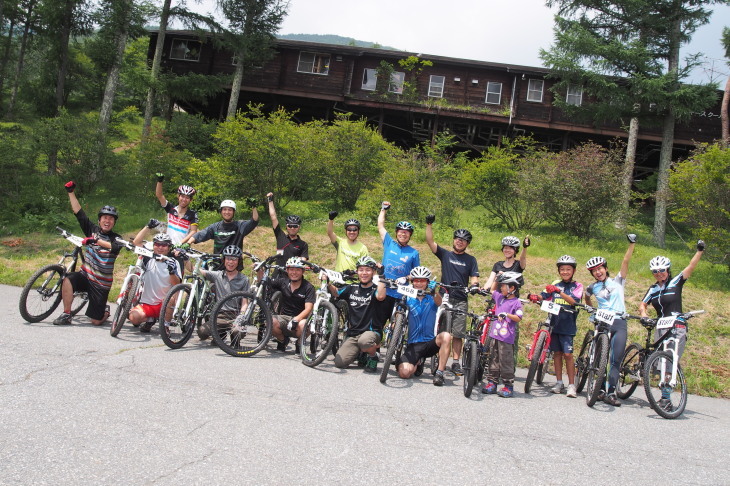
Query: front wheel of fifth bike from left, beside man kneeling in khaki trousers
{"points": [[319, 334]]}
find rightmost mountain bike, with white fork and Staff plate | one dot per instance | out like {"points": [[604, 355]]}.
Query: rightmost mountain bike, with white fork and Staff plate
{"points": [[656, 365]]}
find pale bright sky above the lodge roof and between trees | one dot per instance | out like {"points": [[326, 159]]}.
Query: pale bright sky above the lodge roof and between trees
{"points": [[506, 31]]}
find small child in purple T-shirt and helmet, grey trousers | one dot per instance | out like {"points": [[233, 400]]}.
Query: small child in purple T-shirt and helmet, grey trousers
{"points": [[509, 311]]}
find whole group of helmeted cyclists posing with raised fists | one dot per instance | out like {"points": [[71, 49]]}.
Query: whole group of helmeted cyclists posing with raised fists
{"points": [[368, 303]]}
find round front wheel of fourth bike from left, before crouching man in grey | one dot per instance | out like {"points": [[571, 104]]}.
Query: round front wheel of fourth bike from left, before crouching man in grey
{"points": [[235, 329]]}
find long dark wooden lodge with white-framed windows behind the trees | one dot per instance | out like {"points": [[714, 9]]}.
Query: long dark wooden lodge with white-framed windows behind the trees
{"points": [[478, 102]]}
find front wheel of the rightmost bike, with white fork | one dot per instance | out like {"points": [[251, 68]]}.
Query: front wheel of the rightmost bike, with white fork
{"points": [[666, 400]]}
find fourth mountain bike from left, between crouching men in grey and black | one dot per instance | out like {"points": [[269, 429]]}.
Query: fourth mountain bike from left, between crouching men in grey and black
{"points": [[241, 321]]}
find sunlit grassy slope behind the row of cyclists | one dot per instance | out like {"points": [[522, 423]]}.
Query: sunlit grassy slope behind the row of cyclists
{"points": [[707, 357]]}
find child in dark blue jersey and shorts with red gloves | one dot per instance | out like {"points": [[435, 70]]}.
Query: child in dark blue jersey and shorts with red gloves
{"points": [[565, 292]]}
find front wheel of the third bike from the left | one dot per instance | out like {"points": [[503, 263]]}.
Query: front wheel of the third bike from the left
{"points": [[176, 322]]}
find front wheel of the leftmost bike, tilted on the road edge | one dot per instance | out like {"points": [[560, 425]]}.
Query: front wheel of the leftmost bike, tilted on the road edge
{"points": [[41, 293]]}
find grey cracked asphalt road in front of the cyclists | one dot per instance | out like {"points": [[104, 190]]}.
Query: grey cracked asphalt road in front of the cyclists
{"points": [[80, 407]]}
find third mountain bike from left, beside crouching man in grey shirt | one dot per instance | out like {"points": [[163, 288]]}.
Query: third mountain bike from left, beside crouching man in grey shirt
{"points": [[188, 304]]}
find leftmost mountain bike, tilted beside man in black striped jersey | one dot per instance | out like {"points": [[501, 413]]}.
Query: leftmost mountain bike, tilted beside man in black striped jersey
{"points": [[41, 294]]}
